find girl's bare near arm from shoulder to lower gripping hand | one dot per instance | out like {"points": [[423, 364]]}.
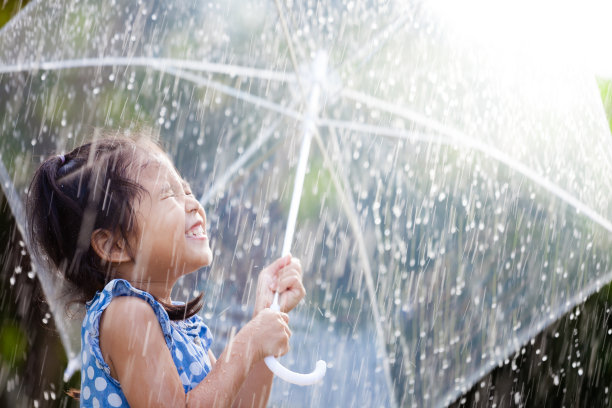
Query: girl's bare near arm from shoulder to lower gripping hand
{"points": [[144, 367]]}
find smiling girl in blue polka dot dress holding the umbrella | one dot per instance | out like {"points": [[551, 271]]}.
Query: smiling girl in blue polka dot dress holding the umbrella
{"points": [[122, 226]]}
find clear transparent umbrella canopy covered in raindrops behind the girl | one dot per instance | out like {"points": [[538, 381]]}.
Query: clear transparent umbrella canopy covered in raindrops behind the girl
{"points": [[455, 200]]}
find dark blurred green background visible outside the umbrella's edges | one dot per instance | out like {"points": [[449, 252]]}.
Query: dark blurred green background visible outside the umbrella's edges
{"points": [[568, 364]]}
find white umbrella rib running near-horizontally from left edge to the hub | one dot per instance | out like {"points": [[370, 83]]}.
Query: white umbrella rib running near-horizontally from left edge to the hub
{"points": [[159, 63]]}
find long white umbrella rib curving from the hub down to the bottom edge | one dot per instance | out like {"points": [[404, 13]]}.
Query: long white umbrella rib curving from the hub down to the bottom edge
{"points": [[348, 205]]}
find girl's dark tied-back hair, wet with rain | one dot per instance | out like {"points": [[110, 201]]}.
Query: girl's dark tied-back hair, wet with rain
{"points": [[71, 196]]}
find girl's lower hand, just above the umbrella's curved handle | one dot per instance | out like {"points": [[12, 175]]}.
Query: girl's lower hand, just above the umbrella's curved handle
{"points": [[269, 333]]}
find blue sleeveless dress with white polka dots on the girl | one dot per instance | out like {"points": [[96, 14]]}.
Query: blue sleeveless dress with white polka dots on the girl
{"points": [[188, 342]]}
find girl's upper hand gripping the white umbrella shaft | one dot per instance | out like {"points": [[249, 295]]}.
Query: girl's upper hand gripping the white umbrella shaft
{"points": [[286, 274]]}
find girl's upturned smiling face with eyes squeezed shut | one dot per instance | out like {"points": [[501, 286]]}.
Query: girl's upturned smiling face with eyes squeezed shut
{"points": [[172, 238]]}
